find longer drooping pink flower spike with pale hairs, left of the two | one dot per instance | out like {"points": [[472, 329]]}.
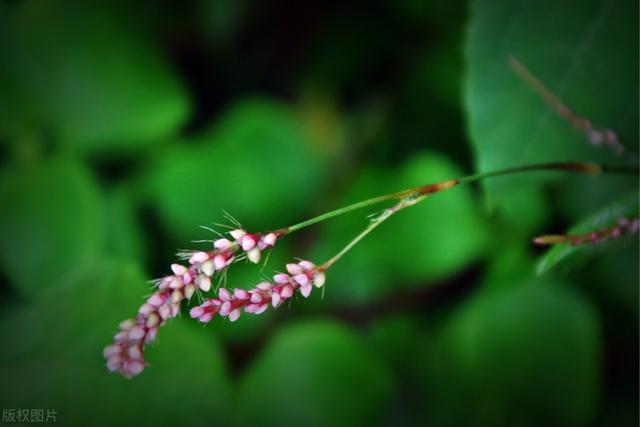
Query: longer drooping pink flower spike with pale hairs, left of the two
{"points": [[126, 354]]}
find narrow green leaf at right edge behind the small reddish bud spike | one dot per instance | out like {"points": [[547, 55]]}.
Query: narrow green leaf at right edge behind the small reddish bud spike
{"points": [[572, 256]]}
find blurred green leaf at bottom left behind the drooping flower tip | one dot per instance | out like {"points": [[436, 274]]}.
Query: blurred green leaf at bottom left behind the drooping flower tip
{"points": [[52, 358]]}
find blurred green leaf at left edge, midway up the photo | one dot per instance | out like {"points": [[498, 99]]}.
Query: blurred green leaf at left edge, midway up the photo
{"points": [[51, 222]]}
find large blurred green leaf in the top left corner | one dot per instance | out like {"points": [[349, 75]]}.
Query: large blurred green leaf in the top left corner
{"points": [[85, 72]]}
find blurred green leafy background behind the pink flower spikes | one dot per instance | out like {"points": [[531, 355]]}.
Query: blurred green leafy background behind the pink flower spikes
{"points": [[124, 126]]}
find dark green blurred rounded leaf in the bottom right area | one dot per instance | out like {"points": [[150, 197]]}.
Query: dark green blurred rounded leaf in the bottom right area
{"points": [[527, 355]]}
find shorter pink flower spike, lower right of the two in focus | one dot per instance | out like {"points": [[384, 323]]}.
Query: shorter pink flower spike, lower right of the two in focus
{"points": [[302, 277]]}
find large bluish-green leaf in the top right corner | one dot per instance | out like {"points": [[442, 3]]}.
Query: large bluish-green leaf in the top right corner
{"points": [[568, 46]]}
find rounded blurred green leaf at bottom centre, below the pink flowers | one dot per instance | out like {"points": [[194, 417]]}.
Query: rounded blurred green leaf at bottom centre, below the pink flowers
{"points": [[316, 373]]}
